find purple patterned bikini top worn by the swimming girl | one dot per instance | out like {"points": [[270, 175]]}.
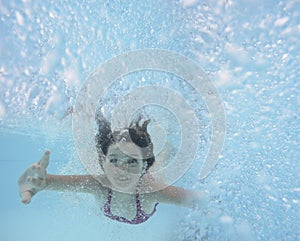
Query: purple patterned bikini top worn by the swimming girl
{"points": [[140, 217]]}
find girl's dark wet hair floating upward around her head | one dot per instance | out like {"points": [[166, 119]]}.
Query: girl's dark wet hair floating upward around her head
{"points": [[136, 134]]}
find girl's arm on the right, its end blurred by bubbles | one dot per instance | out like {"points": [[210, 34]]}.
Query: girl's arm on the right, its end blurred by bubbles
{"points": [[182, 197]]}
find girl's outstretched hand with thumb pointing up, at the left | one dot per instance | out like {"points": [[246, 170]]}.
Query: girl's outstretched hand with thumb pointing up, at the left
{"points": [[33, 179]]}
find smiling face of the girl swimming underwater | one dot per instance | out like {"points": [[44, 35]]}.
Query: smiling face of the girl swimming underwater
{"points": [[123, 160]]}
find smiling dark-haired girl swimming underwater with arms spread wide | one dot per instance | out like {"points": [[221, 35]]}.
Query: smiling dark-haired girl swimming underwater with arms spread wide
{"points": [[125, 157]]}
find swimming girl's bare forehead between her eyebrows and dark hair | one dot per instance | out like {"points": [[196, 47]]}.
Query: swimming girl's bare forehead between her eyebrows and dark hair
{"points": [[125, 149]]}
